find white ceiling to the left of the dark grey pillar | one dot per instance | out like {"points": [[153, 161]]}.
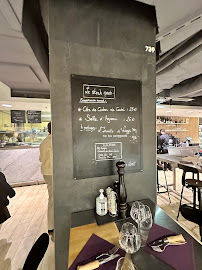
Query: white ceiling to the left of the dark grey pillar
{"points": [[19, 67]]}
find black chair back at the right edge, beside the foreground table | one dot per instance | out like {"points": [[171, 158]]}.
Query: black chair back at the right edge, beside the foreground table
{"points": [[192, 214]]}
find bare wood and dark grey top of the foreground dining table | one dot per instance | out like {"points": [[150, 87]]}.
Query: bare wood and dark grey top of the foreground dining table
{"points": [[84, 225]]}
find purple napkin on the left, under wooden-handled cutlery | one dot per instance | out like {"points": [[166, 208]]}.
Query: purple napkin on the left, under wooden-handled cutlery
{"points": [[93, 248]]}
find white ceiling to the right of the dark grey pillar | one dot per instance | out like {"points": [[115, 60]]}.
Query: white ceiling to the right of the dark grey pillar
{"points": [[178, 21]]}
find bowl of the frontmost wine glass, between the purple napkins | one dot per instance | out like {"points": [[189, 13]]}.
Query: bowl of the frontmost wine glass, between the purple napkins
{"points": [[129, 239]]}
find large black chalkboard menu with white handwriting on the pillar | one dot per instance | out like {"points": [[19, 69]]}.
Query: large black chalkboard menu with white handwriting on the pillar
{"points": [[106, 125]]}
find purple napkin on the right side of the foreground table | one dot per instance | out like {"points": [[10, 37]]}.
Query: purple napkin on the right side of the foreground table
{"points": [[180, 257]]}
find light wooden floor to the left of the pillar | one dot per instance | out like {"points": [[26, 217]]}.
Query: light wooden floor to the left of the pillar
{"points": [[28, 221]]}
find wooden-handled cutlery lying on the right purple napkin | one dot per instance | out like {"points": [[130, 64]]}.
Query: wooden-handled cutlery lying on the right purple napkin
{"points": [[161, 244]]}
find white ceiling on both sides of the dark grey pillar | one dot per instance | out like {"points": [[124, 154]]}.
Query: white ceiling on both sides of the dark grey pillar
{"points": [[177, 21]]}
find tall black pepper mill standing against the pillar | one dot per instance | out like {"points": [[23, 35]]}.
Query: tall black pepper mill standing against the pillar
{"points": [[122, 194]]}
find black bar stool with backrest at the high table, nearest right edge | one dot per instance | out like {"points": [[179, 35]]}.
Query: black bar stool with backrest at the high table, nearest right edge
{"points": [[189, 183]]}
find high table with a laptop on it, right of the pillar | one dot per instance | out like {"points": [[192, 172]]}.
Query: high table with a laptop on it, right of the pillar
{"points": [[174, 161]]}
